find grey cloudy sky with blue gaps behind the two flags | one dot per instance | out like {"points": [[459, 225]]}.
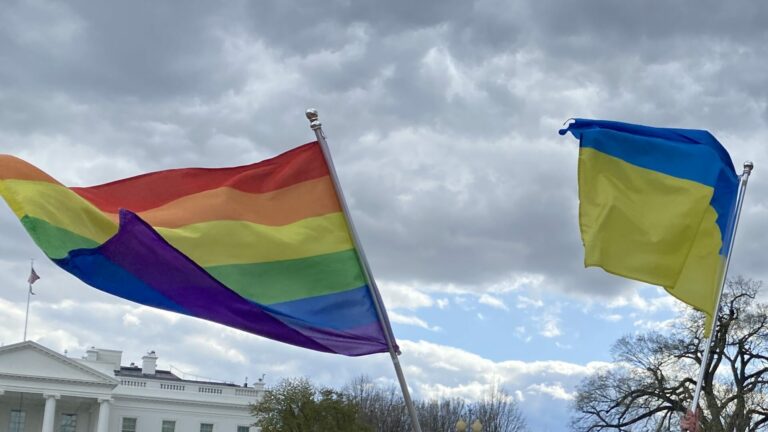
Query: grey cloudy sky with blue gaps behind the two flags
{"points": [[442, 118]]}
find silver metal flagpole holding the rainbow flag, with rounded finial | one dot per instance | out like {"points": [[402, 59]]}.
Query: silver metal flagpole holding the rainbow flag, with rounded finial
{"points": [[317, 127]]}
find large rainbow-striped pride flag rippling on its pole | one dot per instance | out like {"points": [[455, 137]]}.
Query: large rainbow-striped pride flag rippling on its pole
{"points": [[263, 248]]}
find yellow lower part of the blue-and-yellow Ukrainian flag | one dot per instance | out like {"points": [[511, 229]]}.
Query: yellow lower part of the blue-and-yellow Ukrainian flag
{"points": [[649, 226]]}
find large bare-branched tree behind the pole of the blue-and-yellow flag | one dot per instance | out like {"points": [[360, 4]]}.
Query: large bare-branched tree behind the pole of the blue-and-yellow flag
{"points": [[652, 379]]}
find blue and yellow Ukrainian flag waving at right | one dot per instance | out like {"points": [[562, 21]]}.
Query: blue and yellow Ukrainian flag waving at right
{"points": [[656, 205]]}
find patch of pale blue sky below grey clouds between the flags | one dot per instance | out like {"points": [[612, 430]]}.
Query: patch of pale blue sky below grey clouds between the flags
{"points": [[534, 326]]}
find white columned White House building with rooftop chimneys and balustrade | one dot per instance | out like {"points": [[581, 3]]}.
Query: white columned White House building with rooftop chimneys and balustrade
{"points": [[42, 390]]}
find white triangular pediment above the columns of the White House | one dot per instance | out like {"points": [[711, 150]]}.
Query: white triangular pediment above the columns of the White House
{"points": [[32, 361]]}
